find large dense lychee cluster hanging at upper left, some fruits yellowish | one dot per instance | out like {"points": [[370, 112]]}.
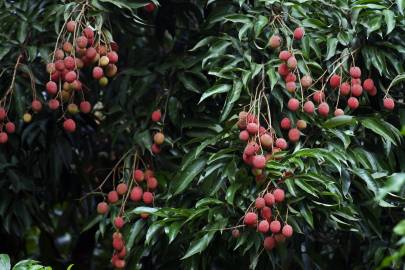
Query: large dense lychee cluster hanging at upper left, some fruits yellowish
{"points": [[80, 47]]}
